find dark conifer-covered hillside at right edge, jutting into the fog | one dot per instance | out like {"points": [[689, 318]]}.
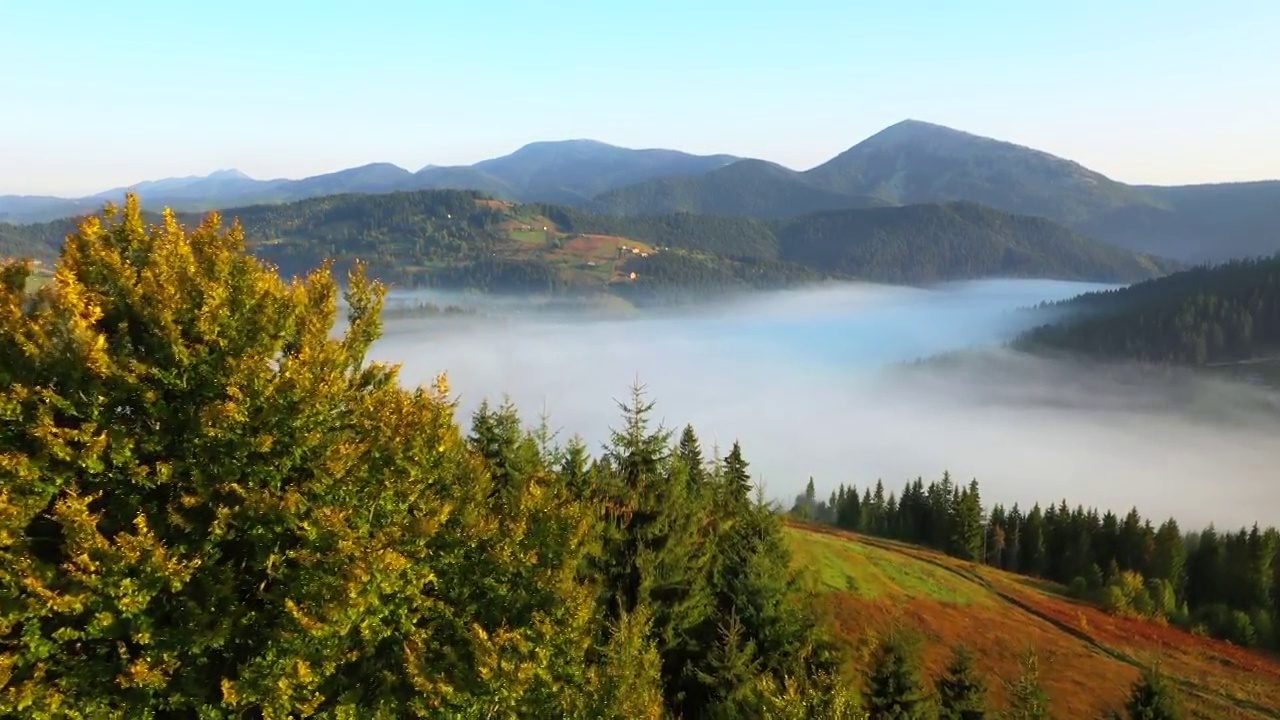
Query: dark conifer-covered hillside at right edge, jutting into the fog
{"points": [[1204, 316]]}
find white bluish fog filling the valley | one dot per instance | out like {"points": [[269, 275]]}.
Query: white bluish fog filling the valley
{"points": [[813, 384]]}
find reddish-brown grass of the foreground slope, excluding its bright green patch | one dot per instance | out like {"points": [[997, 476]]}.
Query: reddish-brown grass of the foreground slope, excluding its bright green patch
{"points": [[1089, 659]]}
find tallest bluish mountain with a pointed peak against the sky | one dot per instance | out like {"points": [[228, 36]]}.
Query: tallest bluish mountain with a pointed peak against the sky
{"points": [[917, 162]]}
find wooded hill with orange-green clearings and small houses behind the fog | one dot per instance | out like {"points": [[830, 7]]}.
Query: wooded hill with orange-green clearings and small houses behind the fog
{"points": [[464, 240]]}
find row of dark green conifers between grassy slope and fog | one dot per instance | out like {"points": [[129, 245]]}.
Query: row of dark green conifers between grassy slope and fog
{"points": [[1220, 584]]}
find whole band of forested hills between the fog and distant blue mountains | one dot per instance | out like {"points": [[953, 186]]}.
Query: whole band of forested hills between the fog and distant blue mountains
{"points": [[461, 239]]}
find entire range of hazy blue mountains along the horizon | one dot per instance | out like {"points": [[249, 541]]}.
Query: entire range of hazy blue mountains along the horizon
{"points": [[906, 165]]}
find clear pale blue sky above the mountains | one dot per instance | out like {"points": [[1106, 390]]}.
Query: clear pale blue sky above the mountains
{"points": [[97, 95]]}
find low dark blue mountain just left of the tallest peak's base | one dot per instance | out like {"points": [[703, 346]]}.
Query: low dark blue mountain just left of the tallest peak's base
{"points": [[753, 189]]}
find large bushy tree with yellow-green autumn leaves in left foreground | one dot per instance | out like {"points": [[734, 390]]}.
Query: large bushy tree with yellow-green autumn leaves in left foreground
{"points": [[212, 505]]}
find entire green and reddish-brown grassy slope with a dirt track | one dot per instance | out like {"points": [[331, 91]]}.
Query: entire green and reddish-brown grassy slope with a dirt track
{"points": [[1089, 659]]}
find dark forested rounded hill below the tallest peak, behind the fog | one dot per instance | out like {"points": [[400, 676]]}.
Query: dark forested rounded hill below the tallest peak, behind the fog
{"points": [[962, 240]]}
